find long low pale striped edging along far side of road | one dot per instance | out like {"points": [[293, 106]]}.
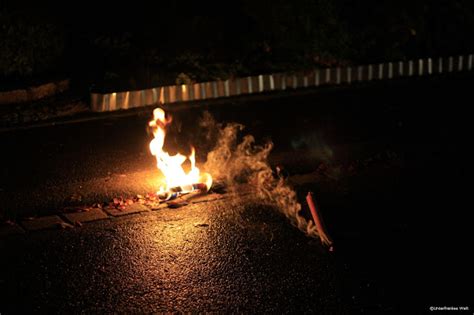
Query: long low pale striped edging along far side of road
{"points": [[279, 82]]}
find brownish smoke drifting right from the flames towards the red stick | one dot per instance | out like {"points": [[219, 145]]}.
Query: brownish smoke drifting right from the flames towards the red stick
{"points": [[237, 159]]}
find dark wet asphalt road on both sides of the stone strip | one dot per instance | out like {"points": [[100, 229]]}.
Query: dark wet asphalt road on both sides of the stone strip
{"points": [[399, 221]]}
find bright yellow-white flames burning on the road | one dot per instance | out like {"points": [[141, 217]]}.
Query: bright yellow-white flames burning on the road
{"points": [[176, 178]]}
